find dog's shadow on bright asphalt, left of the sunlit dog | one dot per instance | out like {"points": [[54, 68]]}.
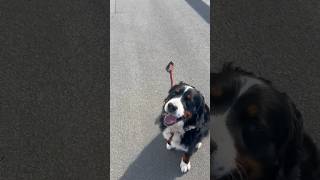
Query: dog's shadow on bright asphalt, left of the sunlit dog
{"points": [[155, 162]]}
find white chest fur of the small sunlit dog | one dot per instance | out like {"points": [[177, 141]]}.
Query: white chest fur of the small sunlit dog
{"points": [[178, 132]]}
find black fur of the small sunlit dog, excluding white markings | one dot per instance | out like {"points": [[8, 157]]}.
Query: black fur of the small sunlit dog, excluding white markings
{"points": [[196, 115]]}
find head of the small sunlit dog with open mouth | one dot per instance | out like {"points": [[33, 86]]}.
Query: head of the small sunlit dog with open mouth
{"points": [[184, 104]]}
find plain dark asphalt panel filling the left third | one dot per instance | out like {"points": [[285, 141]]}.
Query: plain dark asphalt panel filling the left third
{"points": [[53, 107]]}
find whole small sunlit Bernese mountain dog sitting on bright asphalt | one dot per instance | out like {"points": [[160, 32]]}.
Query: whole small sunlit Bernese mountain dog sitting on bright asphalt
{"points": [[184, 121]]}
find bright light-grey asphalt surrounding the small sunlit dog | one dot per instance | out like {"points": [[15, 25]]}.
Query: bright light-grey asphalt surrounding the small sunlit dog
{"points": [[145, 36]]}
